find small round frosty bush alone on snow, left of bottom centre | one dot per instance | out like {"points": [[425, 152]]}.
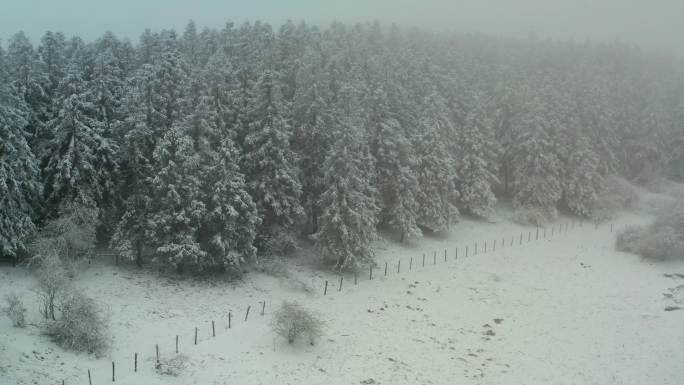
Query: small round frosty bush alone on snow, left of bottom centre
{"points": [[292, 321]]}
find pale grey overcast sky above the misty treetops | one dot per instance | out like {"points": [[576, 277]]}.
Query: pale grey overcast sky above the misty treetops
{"points": [[652, 24]]}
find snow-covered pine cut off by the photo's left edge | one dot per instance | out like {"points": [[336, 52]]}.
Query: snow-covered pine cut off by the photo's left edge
{"points": [[20, 186]]}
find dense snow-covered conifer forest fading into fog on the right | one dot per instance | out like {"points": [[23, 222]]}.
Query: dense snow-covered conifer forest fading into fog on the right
{"points": [[203, 149]]}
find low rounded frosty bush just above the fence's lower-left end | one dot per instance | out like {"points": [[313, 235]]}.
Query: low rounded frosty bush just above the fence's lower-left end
{"points": [[81, 327]]}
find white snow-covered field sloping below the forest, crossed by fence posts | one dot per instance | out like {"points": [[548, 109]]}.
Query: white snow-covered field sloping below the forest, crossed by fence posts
{"points": [[567, 309]]}
